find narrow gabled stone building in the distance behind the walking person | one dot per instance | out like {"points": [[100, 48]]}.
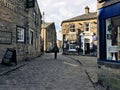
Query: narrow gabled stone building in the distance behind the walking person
{"points": [[48, 36]]}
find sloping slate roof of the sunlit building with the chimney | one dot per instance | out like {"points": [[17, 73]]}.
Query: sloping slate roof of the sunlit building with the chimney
{"points": [[82, 17]]}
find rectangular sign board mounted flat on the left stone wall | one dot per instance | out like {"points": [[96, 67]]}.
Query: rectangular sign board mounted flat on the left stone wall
{"points": [[5, 37]]}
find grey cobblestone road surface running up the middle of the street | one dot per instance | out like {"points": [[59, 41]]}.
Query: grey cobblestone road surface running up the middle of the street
{"points": [[47, 73]]}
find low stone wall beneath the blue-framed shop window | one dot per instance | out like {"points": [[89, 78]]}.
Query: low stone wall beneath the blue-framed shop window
{"points": [[109, 77]]}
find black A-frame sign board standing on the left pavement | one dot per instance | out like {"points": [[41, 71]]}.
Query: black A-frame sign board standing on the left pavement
{"points": [[9, 57]]}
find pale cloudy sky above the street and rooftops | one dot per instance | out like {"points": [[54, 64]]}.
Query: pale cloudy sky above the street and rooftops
{"points": [[59, 10]]}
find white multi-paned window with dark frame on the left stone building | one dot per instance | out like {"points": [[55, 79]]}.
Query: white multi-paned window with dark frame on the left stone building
{"points": [[20, 34]]}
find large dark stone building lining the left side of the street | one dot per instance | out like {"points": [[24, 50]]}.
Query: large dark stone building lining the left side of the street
{"points": [[20, 22]]}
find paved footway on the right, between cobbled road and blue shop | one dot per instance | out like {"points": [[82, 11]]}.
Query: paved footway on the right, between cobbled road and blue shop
{"points": [[90, 66]]}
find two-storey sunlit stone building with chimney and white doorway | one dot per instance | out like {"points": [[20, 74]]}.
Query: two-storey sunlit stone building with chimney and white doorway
{"points": [[80, 31]]}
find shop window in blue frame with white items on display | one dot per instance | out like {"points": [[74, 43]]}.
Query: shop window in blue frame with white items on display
{"points": [[113, 38]]}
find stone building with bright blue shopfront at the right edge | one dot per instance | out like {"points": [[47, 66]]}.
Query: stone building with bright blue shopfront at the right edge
{"points": [[109, 43]]}
